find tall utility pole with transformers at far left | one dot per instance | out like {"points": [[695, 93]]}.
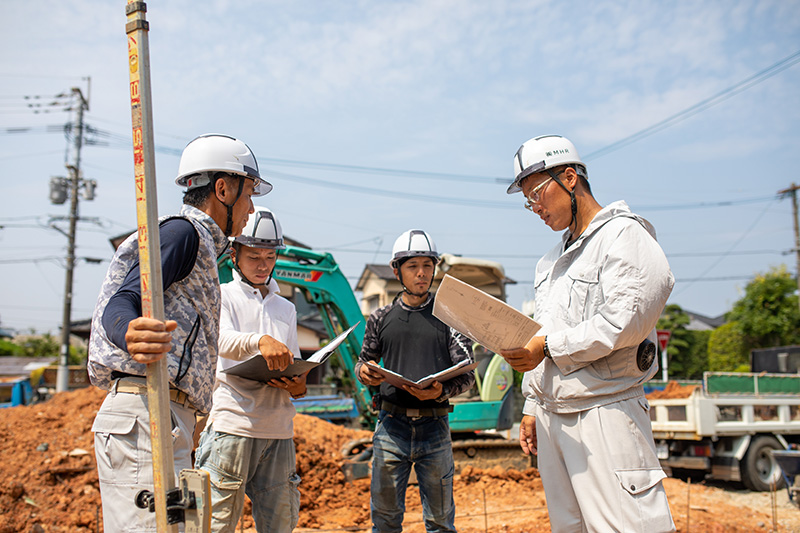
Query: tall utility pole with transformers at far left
{"points": [[62, 377]]}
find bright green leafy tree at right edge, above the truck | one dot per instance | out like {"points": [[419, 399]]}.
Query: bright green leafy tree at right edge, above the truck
{"points": [[768, 313]]}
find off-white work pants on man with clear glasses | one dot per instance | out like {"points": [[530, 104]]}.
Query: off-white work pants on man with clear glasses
{"points": [[600, 470]]}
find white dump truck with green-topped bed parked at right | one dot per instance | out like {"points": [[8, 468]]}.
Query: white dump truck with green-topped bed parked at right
{"points": [[727, 426]]}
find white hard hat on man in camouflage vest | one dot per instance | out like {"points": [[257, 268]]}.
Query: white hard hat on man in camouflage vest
{"points": [[214, 152]]}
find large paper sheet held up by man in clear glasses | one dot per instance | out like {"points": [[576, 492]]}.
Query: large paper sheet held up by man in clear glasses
{"points": [[481, 317]]}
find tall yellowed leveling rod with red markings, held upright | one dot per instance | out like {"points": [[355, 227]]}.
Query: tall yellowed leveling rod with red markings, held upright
{"points": [[169, 503]]}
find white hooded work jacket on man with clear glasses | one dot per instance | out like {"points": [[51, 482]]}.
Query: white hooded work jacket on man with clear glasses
{"points": [[597, 301]]}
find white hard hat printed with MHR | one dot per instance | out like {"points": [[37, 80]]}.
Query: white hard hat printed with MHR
{"points": [[541, 153]]}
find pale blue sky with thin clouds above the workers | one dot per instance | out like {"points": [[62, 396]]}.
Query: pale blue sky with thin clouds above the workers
{"points": [[440, 92]]}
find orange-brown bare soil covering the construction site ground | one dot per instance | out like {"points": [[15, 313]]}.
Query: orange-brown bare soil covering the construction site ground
{"points": [[48, 483]]}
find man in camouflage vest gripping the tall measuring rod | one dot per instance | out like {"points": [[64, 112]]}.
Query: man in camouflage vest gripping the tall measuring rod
{"points": [[220, 174]]}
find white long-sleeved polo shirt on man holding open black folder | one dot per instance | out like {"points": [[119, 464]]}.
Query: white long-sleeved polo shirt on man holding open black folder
{"points": [[242, 406]]}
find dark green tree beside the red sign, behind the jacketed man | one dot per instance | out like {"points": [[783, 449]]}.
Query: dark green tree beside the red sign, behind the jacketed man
{"points": [[687, 350]]}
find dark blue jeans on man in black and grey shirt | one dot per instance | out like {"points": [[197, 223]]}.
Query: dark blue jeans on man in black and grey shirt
{"points": [[398, 443]]}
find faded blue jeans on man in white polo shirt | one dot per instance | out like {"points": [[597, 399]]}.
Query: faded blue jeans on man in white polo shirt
{"points": [[264, 469]]}
